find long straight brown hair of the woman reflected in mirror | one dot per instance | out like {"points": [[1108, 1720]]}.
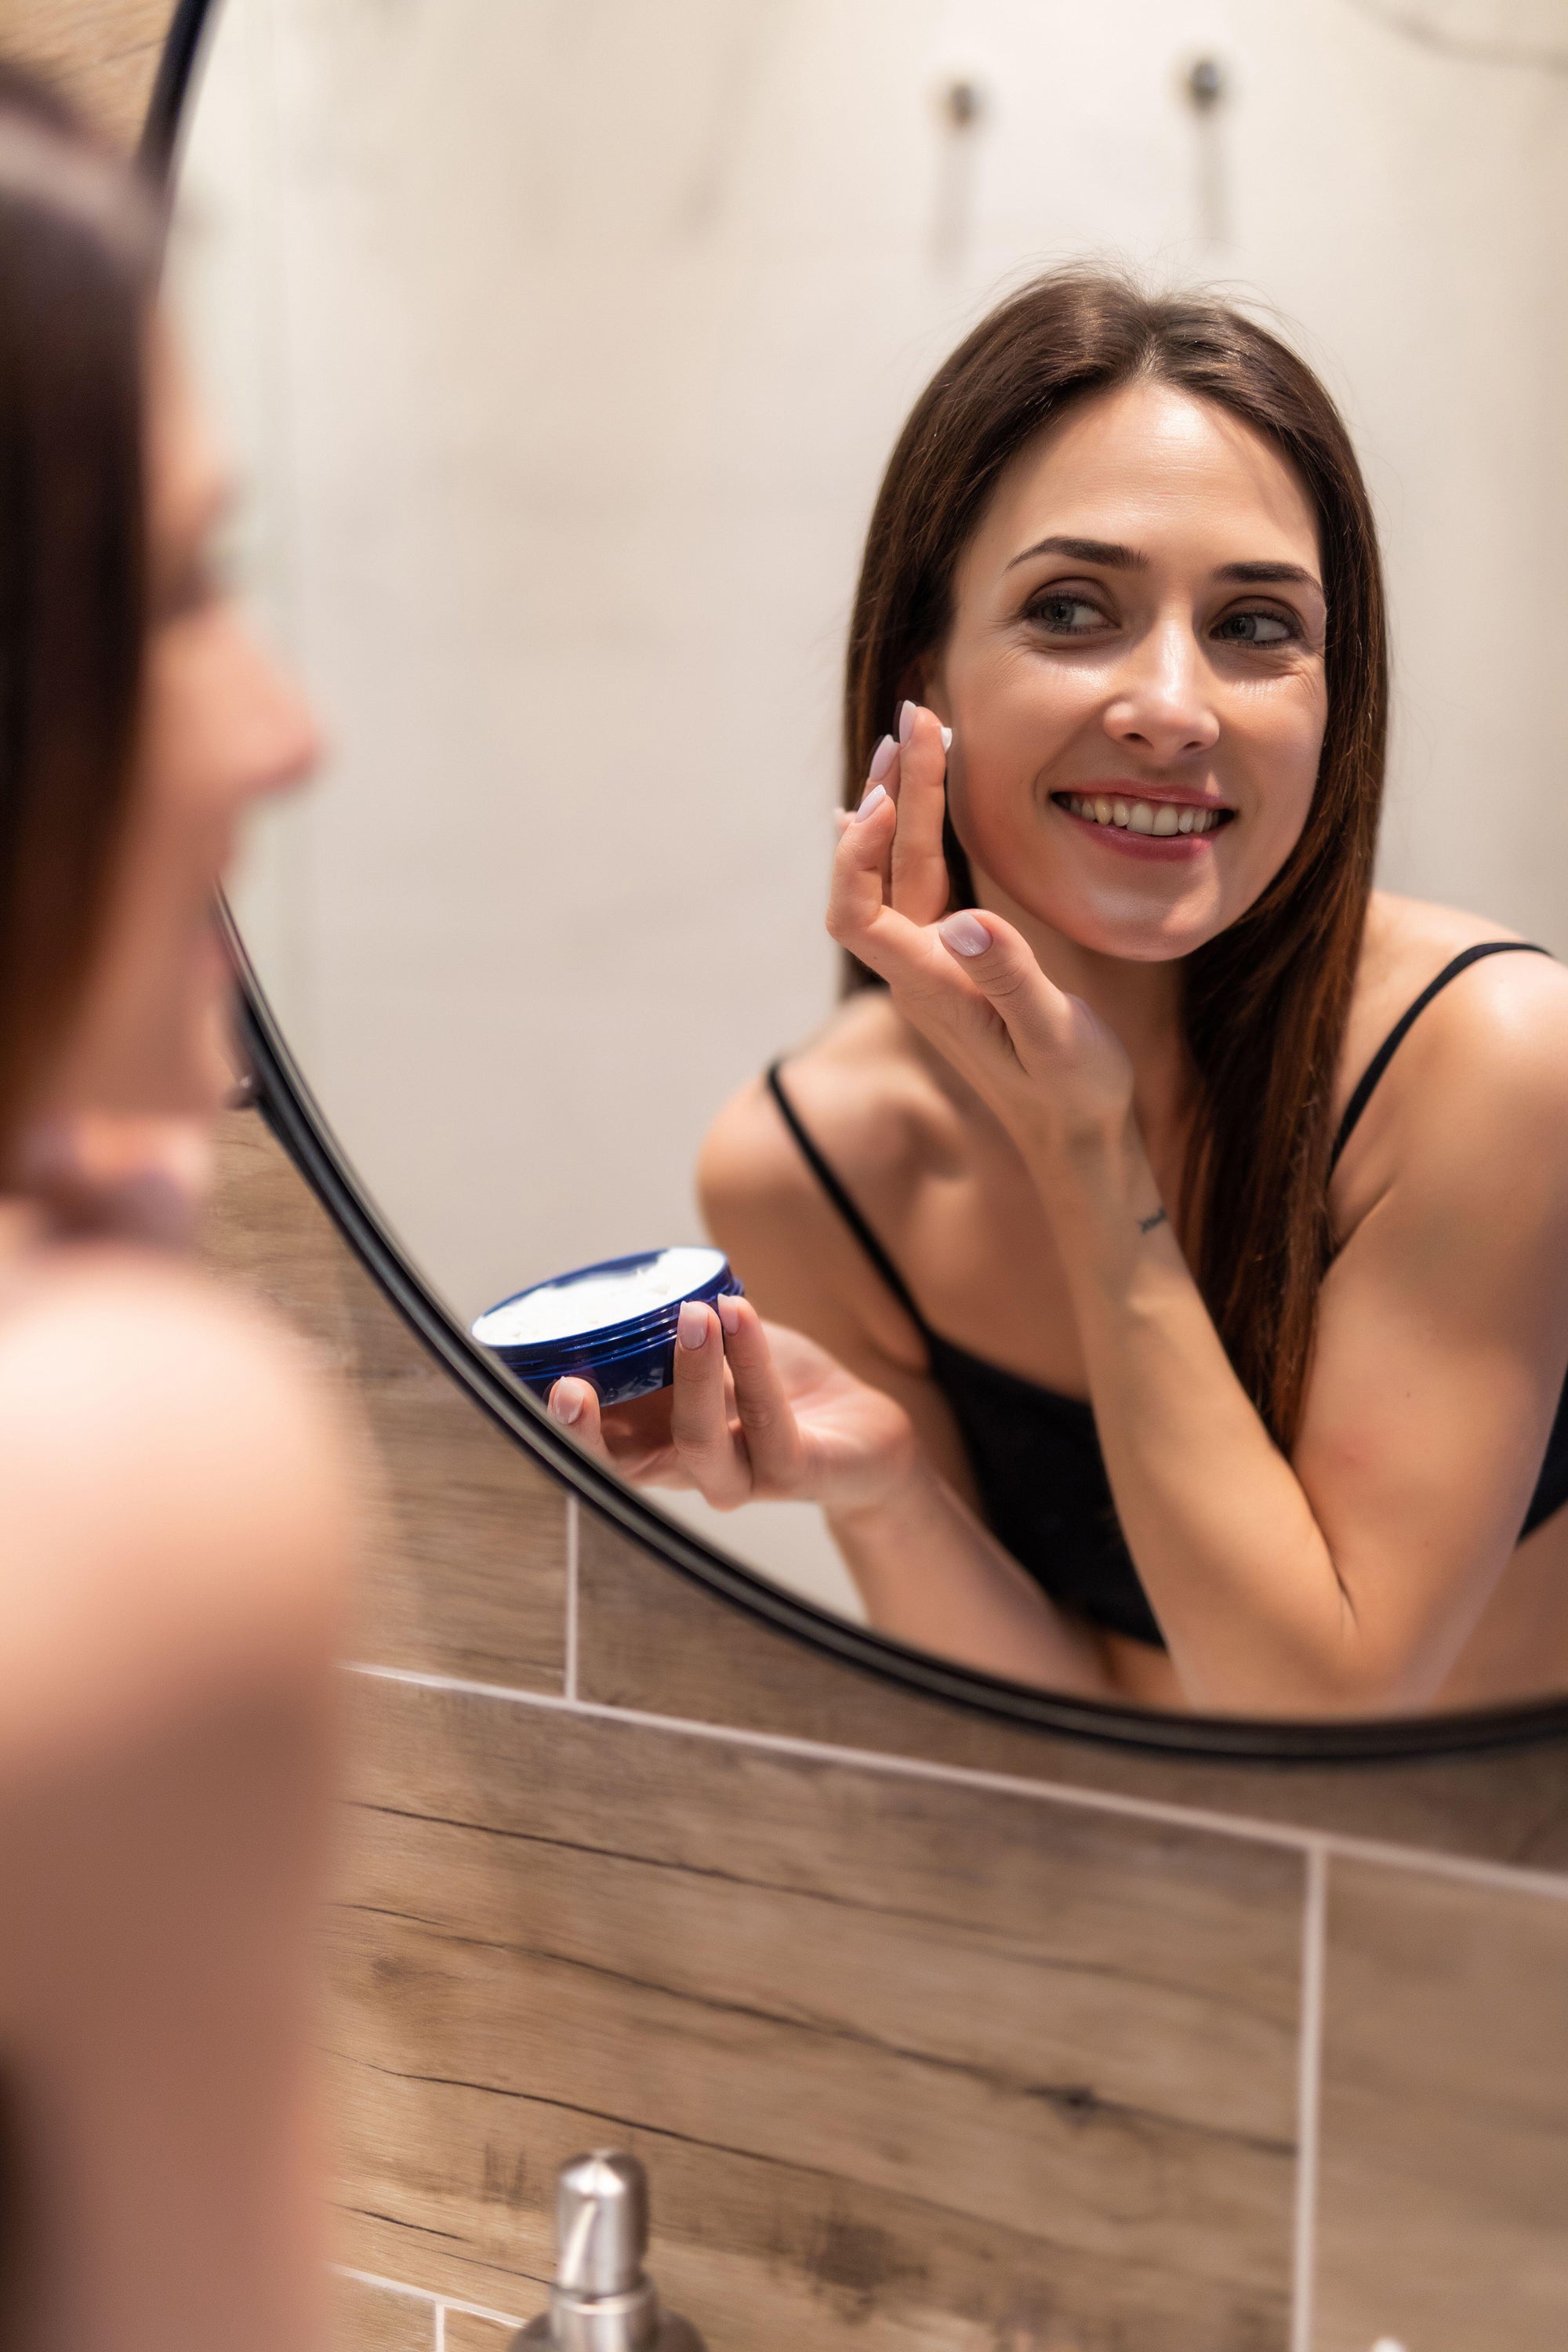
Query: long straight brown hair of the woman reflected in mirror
{"points": [[1266, 1001]]}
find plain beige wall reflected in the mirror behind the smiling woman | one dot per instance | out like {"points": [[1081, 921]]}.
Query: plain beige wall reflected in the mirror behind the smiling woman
{"points": [[565, 345]]}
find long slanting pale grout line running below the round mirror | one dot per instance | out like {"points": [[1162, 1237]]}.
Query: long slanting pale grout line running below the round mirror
{"points": [[1181, 1817]]}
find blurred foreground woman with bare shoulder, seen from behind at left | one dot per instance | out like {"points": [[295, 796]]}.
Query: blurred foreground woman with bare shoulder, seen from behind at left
{"points": [[175, 1483]]}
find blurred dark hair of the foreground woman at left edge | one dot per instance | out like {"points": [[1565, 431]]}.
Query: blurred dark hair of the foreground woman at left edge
{"points": [[79, 258]]}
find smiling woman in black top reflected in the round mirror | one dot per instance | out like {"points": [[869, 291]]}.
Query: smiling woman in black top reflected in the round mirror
{"points": [[1174, 1250]]}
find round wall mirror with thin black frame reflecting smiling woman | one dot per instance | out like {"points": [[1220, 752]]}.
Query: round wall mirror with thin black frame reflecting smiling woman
{"points": [[561, 352]]}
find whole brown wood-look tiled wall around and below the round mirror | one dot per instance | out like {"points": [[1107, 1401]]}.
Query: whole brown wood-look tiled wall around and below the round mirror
{"points": [[934, 2033]]}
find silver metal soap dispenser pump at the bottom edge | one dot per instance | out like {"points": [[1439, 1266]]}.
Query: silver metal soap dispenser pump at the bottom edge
{"points": [[601, 2299]]}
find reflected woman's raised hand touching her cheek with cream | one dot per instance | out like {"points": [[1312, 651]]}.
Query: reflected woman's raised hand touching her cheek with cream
{"points": [[1050, 1069]]}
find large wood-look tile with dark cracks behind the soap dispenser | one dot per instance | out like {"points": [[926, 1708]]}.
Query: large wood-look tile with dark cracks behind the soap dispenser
{"points": [[909, 2064]]}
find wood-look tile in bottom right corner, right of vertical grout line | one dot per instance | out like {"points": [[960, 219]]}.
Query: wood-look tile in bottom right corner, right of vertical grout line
{"points": [[1445, 2125]]}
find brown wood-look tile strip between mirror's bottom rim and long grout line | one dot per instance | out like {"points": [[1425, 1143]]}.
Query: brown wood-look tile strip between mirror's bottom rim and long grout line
{"points": [[666, 1645]]}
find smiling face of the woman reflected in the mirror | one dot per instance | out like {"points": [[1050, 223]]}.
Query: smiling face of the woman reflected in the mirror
{"points": [[1137, 676]]}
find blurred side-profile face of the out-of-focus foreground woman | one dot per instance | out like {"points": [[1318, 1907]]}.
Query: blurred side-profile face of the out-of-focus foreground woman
{"points": [[220, 730]]}
